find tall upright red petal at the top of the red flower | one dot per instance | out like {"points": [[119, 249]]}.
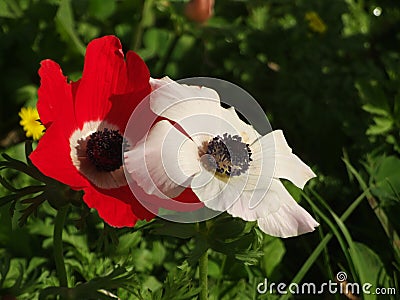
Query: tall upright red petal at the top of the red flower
{"points": [[103, 63]]}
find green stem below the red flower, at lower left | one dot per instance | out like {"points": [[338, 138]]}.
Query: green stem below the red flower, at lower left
{"points": [[58, 246]]}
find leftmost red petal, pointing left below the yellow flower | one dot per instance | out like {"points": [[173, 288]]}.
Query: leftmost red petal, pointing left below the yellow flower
{"points": [[52, 157]]}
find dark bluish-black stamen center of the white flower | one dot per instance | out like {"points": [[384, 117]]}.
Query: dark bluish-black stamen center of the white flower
{"points": [[228, 155]]}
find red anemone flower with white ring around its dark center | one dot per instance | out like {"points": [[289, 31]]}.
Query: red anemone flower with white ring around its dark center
{"points": [[85, 123]]}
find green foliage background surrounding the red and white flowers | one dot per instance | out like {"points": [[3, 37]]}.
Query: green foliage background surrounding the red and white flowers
{"points": [[335, 94]]}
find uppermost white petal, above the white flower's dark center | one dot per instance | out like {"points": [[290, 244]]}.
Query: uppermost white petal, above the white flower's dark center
{"points": [[197, 110]]}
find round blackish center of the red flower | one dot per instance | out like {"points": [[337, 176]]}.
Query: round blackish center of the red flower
{"points": [[104, 149]]}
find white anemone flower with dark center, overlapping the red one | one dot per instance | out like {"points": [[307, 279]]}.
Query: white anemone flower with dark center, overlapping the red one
{"points": [[226, 162]]}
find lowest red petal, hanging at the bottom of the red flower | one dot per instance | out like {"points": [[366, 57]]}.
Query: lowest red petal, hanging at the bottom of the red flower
{"points": [[117, 207]]}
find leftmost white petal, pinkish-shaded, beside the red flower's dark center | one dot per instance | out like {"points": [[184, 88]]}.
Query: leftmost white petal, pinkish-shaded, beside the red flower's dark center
{"points": [[163, 162]]}
